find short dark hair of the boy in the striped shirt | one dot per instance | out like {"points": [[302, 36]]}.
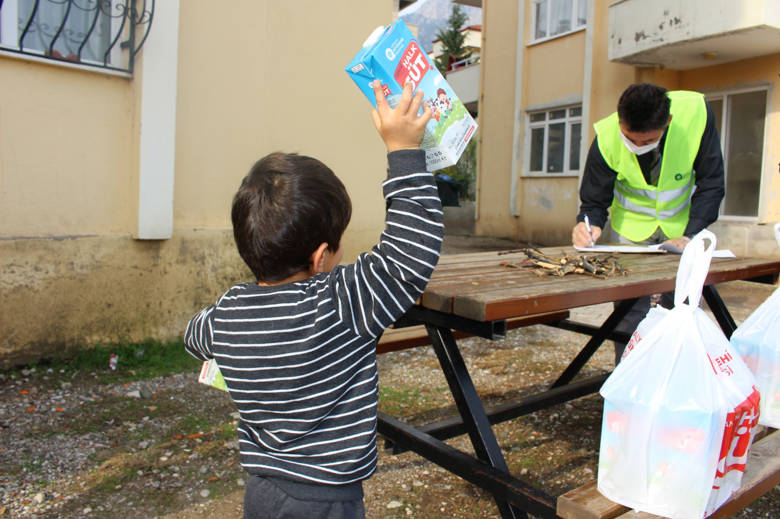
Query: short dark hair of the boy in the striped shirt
{"points": [[287, 205]]}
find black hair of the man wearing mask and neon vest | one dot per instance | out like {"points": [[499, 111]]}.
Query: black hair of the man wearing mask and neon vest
{"points": [[644, 107]]}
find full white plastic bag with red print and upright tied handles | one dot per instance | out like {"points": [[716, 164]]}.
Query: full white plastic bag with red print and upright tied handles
{"points": [[679, 410]]}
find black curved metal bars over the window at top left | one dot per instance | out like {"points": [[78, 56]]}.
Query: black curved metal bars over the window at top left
{"points": [[105, 34]]}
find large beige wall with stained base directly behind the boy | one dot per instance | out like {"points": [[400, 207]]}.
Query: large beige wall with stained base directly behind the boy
{"points": [[269, 76]]}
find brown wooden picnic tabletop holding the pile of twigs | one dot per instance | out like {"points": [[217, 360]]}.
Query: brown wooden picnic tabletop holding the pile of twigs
{"points": [[479, 287]]}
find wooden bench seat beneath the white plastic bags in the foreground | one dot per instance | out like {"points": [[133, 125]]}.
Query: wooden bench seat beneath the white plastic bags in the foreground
{"points": [[761, 475]]}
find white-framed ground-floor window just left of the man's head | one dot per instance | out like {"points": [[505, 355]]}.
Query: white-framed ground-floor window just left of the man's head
{"points": [[555, 141]]}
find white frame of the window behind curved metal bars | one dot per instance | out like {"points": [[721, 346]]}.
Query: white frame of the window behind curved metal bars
{"points": [[9, 42]]}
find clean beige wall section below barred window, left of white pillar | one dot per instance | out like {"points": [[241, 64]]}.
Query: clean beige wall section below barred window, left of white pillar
{"points": [[66, 151]]}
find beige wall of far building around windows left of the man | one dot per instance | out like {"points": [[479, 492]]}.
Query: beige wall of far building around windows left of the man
{"points": [[543, 208]]}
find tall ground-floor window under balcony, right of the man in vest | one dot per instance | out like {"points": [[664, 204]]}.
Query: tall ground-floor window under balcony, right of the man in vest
{"points": [[740, 117]]}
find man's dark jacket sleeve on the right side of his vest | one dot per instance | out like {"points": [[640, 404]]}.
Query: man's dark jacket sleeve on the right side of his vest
{"points": [[710, 178]]}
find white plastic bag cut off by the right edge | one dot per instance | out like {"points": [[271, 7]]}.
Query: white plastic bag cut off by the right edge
{"points": [[758, 341]]}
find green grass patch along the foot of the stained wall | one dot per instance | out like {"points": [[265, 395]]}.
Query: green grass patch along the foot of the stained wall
{"points": [[136, 361]]}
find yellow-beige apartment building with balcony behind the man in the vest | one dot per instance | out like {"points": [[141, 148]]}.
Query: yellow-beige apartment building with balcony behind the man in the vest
{"points": [[551, 68]]}
